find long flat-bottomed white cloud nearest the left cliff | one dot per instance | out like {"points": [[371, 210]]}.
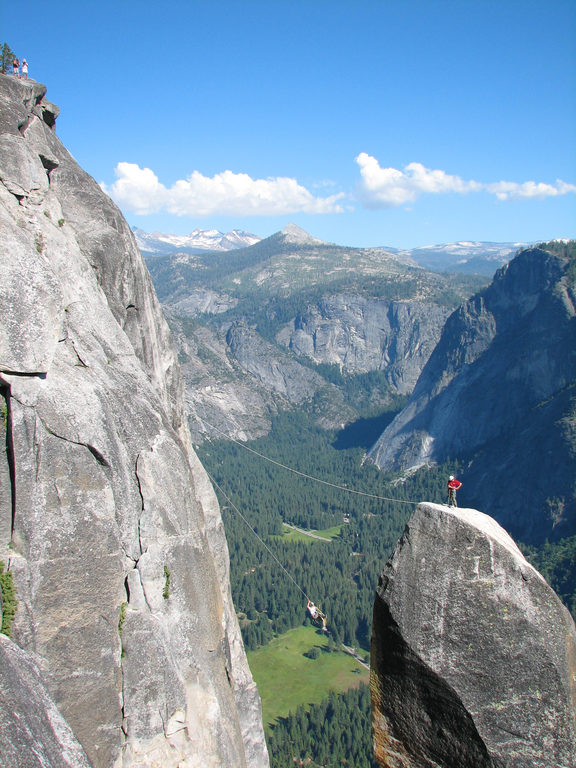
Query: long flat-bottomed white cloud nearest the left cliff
{"points": [[225, 194]]}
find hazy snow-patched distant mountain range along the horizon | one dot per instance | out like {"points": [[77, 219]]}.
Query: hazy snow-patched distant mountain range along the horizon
{"points": [[481, 258]]}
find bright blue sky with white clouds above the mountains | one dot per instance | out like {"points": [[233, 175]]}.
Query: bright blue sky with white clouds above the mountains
{"points": [[366, 122]]}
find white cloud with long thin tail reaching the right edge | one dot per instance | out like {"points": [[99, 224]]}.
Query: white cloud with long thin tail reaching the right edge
{"points": [[390, 187]]}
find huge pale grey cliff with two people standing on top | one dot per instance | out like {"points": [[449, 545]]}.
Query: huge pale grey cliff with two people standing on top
{"points": [[108, 521]]}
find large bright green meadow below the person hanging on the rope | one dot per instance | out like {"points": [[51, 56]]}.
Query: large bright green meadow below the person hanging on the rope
{"points": [[286, 678]]}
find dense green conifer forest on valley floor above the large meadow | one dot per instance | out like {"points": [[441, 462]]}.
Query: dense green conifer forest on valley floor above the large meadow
{"points": [[339, 575]]}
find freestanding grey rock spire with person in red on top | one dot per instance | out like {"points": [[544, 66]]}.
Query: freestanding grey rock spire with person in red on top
{"points": [[473, 655]]}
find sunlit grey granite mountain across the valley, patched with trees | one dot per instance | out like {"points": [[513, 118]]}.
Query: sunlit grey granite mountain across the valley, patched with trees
{"points": [[292, 322]]}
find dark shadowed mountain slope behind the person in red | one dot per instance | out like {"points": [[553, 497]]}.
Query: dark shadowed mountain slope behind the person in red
{"points": [[501, 381]]}
